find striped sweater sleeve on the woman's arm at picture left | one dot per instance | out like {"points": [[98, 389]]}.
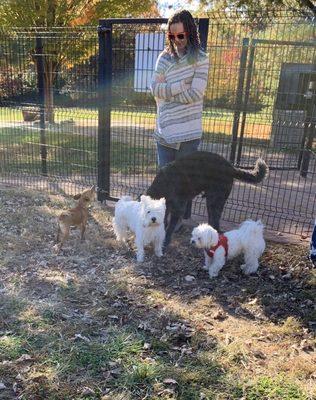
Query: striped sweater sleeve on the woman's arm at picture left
{"points": [[165, 90]]}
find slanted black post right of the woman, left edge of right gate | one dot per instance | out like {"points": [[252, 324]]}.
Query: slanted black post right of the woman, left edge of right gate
{"points": [[239, 97]]}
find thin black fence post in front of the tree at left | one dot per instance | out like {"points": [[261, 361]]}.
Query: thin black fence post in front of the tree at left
{"points": [[41, 95]]}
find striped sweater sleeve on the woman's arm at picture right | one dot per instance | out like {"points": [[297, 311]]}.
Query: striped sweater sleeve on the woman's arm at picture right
{"points": [[198, 86]]}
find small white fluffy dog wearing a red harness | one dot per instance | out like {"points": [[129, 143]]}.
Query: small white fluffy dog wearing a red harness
{"points": [[247, 240]]}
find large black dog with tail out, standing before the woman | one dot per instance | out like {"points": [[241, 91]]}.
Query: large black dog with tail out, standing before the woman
{"points": [[200, 172]]}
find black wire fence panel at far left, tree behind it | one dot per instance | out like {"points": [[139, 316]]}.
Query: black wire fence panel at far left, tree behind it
{"points": [[48, 129]]}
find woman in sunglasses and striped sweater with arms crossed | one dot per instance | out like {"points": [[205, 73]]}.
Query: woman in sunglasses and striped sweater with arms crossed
{"points": [[178, 84]]}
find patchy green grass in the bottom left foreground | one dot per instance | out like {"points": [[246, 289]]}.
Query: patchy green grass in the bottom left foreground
{"points": [[121, 357]]}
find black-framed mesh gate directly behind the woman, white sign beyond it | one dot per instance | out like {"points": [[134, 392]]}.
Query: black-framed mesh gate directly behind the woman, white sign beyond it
{"points": [[124, 93]]}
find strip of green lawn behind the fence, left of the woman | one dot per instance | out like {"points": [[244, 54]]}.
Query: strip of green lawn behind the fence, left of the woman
{"points": [[68, 153]]}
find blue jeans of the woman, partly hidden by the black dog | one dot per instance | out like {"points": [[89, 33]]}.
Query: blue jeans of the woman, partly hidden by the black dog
{"points": [[167, 154]]}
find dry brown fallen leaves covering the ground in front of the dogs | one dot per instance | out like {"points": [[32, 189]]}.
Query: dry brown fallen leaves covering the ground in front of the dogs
{"points": [[171, 303]]}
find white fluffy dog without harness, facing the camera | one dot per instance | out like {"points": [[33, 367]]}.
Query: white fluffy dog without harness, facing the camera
{"points": [[145, 219]]}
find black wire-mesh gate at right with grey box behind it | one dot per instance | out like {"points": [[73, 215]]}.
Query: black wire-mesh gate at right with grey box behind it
{"points": [[289, 114]]}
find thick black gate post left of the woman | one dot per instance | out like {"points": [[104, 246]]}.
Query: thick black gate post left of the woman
{"points": [[104, 108]]}
